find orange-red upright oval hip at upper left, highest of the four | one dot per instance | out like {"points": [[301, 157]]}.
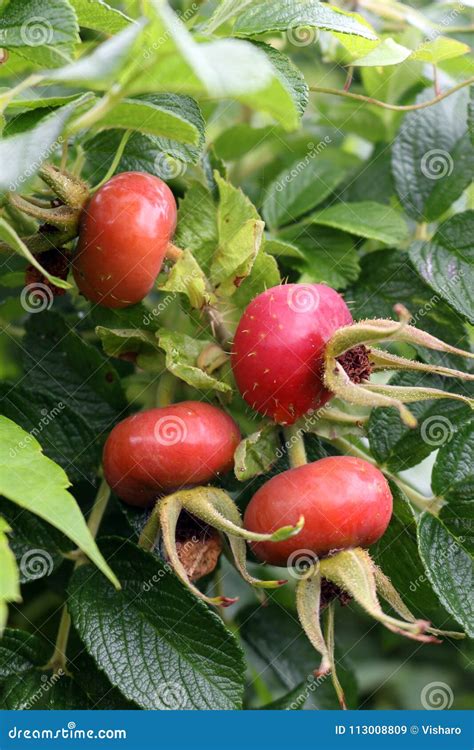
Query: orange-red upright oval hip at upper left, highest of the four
{"points": [[125, 230]]}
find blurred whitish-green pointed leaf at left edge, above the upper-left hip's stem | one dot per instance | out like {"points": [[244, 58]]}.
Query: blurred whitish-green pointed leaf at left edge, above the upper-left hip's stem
{"points": [[23, 154]]}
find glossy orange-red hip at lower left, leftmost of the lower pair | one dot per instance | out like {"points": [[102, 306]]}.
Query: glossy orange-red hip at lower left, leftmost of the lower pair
{"points": [[159, 451]]}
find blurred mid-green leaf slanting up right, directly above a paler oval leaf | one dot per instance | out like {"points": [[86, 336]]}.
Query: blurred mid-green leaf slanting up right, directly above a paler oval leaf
{"points": [[302, 186]]}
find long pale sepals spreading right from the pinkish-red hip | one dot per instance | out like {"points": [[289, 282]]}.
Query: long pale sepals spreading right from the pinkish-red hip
{"points": [[368, 332]]}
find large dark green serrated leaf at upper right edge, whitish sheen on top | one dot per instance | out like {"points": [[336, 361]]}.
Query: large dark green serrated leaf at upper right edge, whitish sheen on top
{"points": [[432, 157]]}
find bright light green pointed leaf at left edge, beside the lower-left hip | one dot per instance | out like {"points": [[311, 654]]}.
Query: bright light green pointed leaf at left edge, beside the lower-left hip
{"points": [[37, 484]]}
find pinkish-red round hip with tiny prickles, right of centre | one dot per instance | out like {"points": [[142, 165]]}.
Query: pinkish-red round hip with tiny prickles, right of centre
{"points": [[277, 354]]}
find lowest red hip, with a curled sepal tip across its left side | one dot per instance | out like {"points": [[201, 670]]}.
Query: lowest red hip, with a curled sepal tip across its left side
{"points": [[346, 502]]}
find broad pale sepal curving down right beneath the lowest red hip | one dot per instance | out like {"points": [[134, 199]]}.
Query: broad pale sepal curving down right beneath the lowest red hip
{"points": [[354, 571]]}
